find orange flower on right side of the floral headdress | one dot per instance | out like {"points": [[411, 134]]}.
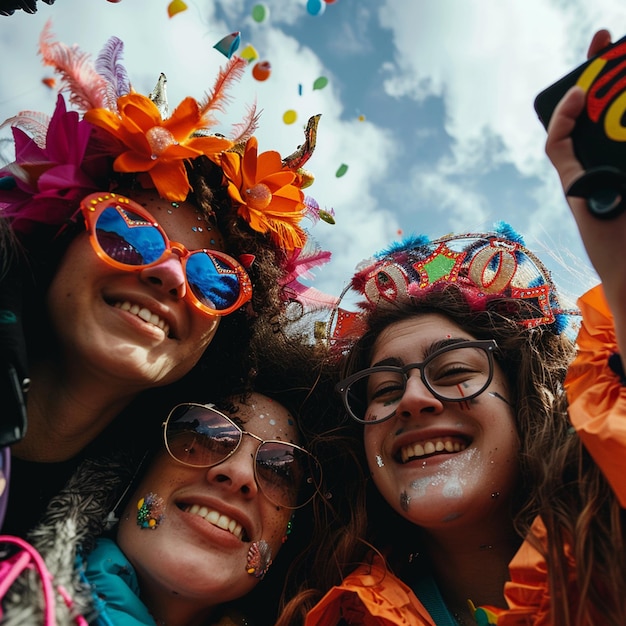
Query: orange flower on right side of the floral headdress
{"points": [[267, 193]]}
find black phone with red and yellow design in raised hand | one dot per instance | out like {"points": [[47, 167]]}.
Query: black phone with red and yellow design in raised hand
{"points": [[600, 132]]}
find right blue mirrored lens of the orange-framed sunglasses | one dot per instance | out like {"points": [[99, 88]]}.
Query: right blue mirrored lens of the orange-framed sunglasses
{"points": [[215, 283]]}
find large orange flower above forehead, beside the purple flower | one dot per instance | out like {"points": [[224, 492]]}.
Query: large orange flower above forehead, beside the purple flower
{"points": [[157, 146]]}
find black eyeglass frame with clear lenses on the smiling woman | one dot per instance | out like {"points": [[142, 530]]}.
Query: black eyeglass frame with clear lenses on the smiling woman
{"points": [[489, 346]]}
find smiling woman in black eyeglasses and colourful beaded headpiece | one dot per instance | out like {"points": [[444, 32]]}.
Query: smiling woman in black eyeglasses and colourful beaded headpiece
{"points": [[452, 378]]}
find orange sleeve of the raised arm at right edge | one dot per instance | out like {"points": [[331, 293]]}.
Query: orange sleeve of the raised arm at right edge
{"points": [[597, 399]]}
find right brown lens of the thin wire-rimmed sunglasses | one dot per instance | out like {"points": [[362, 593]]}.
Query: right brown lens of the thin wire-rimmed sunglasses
{"points": [[288, 476]]}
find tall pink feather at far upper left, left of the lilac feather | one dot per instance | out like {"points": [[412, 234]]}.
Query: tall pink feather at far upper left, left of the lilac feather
{"points": [[88, 90]]}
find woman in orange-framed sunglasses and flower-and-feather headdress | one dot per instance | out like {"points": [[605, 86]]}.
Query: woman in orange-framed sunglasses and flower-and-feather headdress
{"points": [[138, 232]]}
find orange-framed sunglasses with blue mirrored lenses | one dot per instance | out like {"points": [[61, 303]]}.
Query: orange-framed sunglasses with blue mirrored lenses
{"points": [[126, 236]]}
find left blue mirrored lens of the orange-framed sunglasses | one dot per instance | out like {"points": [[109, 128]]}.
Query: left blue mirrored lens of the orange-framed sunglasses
{"points": [[128, 238]]}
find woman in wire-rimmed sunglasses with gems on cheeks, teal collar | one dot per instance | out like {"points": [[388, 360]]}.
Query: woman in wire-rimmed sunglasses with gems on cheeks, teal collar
{"points": [[204, 528]]}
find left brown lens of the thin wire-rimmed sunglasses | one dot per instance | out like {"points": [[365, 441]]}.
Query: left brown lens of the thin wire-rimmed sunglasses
{"points": [[200, 437]]}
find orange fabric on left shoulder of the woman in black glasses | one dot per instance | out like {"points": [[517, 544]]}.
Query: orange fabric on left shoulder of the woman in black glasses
{"points": [[370, 596]]}
